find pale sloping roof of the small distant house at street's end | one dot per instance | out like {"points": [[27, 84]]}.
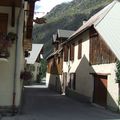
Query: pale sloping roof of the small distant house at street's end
{"points": [[36, 48]]}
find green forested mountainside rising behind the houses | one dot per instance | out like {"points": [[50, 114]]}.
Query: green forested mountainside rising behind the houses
{"points": [[65, 16]]}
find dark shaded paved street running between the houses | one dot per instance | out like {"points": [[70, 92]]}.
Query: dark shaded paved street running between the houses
{"points": [[43, 104]]}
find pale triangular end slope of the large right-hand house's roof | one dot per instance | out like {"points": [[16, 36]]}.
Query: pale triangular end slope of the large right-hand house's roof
{"points": [[109, 29]]}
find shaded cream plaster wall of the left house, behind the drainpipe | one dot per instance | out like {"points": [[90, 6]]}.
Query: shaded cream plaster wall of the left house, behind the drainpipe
{"points": [[7, 68]]}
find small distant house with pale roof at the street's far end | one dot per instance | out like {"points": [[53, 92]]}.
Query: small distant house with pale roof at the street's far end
{"points": [[33, 61]]}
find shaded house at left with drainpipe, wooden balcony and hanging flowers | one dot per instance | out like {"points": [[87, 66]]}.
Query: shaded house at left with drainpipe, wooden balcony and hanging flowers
{"points": [[16, 22]]}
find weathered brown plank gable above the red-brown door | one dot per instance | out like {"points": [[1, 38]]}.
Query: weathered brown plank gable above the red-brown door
{"points": [[100, 53]]}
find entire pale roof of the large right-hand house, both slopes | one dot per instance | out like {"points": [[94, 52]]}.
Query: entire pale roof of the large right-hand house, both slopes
{"points": [[107, 24]]}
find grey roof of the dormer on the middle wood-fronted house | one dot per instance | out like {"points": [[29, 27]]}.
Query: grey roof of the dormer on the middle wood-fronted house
{"points": [[64, 33]]}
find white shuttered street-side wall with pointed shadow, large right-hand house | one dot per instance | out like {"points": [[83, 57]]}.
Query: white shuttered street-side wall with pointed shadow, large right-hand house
{"points": [[84, 81]]}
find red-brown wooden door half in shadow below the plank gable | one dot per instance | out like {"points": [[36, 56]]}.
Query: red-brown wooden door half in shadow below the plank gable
{"points": [[100, 90]]}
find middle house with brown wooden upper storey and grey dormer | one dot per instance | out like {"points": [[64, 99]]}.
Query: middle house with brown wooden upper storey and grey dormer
{"points": [[55, 60]]}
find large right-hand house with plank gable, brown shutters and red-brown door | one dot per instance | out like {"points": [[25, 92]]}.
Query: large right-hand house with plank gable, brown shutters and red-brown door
{"points": [[89, 59]]}
